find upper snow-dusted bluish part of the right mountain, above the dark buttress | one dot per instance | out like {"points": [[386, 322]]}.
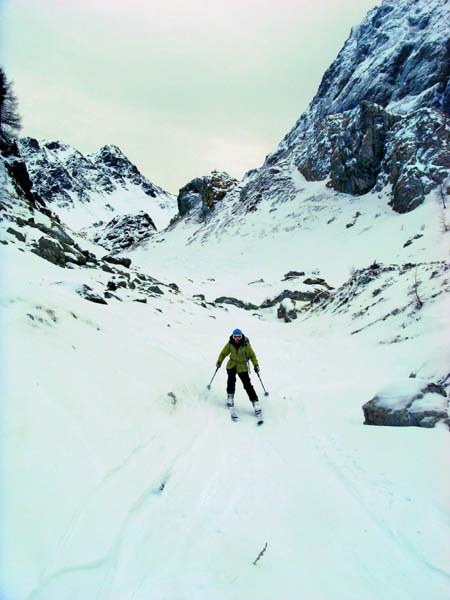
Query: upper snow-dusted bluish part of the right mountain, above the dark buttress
{"points": [[398, 58]]}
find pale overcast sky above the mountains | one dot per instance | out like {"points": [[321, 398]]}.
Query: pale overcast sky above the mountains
{"points": [[182, 87]]}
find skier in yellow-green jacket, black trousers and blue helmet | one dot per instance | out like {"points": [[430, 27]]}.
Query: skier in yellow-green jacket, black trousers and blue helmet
{"points": [[240, 351]]}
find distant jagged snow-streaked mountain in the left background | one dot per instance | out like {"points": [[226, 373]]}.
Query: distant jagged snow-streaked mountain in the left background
{"points": [[87, 192]]}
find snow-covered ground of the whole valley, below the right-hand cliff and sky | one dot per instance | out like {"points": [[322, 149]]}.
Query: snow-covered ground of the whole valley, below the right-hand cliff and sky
{"points": [[124, 478]]}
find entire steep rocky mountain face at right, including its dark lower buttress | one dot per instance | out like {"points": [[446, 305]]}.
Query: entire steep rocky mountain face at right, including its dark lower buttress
{"points": [[379, 116]]}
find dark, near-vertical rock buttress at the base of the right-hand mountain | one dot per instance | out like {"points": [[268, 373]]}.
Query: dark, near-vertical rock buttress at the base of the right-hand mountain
{"points": [[371, 148]]}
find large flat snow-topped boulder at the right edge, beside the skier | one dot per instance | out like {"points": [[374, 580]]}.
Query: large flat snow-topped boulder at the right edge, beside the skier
{"points": [[408, 402]]}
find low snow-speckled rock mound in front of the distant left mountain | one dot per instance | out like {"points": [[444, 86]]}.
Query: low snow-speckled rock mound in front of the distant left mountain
{"points": [[122, 232]]}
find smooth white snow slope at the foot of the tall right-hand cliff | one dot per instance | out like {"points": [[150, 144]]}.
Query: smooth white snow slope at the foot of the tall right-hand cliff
{"points": [[317, 230]]}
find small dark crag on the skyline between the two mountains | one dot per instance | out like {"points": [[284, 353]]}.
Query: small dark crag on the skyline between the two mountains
{"points": [[204, 192]]}
